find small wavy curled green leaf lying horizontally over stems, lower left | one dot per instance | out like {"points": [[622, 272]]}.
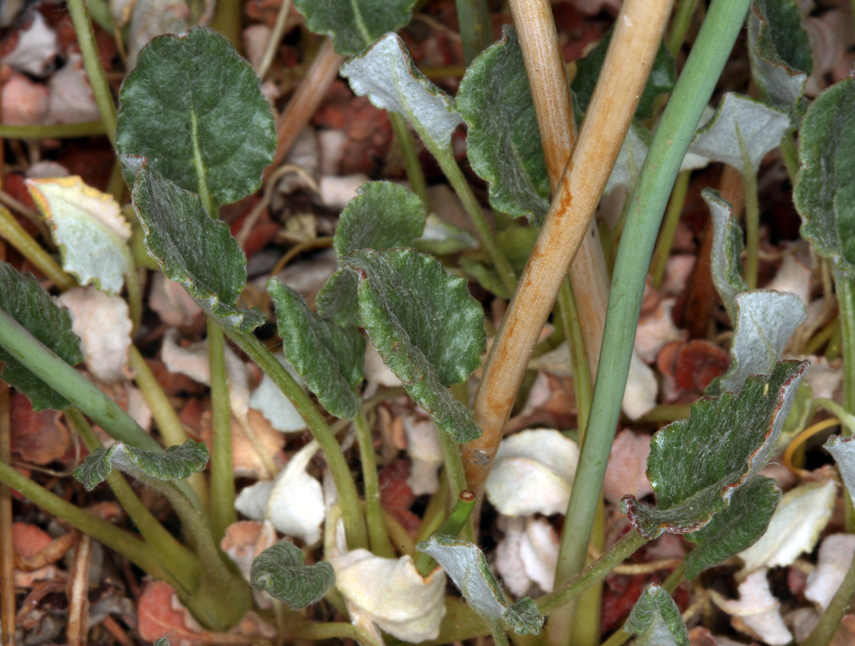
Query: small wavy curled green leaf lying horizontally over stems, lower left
{"points": [[176, 463]]}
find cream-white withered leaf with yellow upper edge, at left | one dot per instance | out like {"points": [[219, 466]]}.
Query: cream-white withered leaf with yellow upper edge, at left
{"points": [[89, 229]]}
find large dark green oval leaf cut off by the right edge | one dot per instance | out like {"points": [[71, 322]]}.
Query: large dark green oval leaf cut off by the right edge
{"points": [[825, 193]]}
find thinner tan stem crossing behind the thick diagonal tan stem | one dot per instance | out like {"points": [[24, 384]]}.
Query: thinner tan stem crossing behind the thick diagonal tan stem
{"points": [[551, 95]]}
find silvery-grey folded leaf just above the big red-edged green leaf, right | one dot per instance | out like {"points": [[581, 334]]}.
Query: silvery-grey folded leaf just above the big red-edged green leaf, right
{"points": [[765, 321]]}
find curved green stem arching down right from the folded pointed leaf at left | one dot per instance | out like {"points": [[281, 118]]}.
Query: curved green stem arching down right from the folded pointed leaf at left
{"points": [[354, 522]]}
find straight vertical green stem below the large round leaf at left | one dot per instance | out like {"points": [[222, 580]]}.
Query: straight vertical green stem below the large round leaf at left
{"points": [[223, 511]]}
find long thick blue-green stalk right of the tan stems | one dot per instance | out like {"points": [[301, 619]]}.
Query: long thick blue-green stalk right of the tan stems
{"points": [[691, 94]]}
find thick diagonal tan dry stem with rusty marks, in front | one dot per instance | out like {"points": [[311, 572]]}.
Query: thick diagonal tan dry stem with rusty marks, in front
{"points": [[637, 35]]}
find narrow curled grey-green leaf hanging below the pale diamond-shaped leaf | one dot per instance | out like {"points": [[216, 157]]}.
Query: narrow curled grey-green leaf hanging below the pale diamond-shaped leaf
{"points": [[726, 248]]}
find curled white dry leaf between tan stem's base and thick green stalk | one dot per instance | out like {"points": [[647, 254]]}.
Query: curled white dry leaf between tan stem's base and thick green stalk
{"points": [[532, 473]]}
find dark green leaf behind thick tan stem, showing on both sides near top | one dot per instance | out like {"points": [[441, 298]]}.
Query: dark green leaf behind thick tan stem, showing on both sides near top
{"points": [[663, 77]]}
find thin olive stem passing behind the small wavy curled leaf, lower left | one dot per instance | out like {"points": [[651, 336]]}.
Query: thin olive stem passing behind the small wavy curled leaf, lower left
{"points": [[182, 562]]}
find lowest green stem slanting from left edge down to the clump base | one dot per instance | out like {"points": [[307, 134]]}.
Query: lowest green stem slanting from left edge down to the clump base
{"points": [[134, 549]]}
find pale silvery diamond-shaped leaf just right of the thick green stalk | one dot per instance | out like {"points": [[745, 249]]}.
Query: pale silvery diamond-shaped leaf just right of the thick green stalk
{"points": [[742, 131]]}
